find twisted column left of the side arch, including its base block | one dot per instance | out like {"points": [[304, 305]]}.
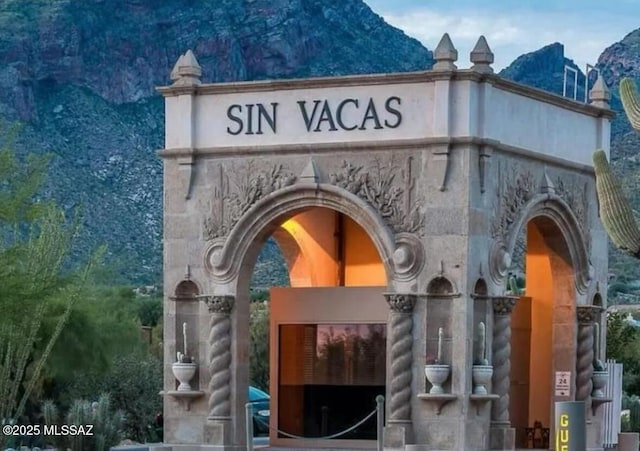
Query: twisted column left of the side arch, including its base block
{"points": [[502, 435]]}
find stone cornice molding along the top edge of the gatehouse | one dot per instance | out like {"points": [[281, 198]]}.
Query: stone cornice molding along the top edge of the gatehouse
{"points": [[386, 79]]}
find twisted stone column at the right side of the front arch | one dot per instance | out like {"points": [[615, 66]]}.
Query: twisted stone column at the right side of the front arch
{"points": [[401, 340]]}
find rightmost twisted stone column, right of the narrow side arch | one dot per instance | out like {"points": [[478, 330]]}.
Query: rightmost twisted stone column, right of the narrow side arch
{"points": [[587, 316]]}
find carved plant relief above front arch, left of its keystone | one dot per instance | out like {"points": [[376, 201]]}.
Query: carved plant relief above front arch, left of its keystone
{"points": [[237, 187]]}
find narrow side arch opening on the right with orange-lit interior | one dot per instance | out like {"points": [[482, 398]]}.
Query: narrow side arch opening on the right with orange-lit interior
{"points": [[543, 322]]}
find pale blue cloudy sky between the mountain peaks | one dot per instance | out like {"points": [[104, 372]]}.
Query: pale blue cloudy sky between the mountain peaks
{"points": [[511, 32]]}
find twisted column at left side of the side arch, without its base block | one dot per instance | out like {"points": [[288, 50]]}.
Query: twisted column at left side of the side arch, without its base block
{"points": [[501, 382]]}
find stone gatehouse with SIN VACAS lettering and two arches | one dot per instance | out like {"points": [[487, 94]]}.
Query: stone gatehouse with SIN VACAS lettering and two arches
{"points": [[440, 169]]}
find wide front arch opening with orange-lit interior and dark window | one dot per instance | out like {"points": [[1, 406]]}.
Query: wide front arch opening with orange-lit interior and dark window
{"points": [[333, 261]]}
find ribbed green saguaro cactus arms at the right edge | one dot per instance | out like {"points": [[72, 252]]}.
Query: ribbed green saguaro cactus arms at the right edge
{"points": [[615, 210]]}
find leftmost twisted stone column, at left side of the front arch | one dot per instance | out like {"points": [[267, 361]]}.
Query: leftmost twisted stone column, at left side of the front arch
{"points": [[219, 356]]}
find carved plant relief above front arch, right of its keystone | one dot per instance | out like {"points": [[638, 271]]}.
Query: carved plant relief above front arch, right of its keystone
{"points": [[389, 187]]}
